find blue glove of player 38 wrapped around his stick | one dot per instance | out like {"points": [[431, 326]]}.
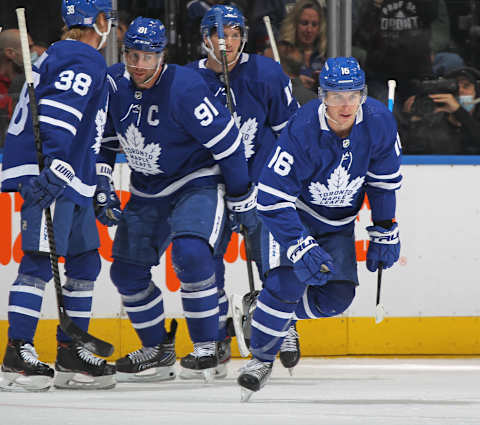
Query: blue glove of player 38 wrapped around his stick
{"points": [[50, 184]]}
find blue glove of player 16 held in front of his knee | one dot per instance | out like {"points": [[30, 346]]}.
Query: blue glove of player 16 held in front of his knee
{"points": [[311, 264]]}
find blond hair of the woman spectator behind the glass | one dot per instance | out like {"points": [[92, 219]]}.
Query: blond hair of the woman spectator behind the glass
{"points": [[288, 30]]}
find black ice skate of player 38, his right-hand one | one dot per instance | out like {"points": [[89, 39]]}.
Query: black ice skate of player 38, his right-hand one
{"points": [[77, 368]]}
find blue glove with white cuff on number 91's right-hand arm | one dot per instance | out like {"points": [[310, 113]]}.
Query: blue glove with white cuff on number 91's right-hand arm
{"points": [[243, 211]]}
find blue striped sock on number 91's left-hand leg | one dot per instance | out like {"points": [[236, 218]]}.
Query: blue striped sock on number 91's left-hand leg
{"points": [[142, 300]]}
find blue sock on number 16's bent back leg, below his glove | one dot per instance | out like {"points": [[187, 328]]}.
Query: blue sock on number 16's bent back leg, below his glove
{"points": [[326, 301]]}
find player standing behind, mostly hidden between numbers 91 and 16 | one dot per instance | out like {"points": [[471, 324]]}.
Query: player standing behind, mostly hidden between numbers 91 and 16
{"points": [[263, 103]]}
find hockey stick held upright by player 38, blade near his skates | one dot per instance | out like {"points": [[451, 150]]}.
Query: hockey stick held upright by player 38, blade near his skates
{"points": [[91, 343]]}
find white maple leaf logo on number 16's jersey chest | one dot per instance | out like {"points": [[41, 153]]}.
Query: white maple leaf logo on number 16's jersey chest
{"points": [[340, 190]]}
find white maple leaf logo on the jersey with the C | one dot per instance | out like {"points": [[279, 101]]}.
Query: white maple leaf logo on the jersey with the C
{"points": [[141, 158]]}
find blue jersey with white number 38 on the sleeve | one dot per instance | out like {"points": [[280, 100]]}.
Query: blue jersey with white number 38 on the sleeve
{"points": [[72, 96]]}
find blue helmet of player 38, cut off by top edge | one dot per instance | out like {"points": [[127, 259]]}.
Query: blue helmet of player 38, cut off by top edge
{"points": [[85, 12]]}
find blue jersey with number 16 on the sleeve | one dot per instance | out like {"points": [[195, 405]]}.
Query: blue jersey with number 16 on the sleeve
{"points": [[318, 179]]}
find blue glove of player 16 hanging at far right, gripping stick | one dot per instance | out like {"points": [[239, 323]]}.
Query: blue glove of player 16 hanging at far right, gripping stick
{"points": [[384, 247]]}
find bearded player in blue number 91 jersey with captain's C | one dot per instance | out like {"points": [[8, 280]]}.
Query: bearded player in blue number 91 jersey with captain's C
{"points": [[187, 160]]}
